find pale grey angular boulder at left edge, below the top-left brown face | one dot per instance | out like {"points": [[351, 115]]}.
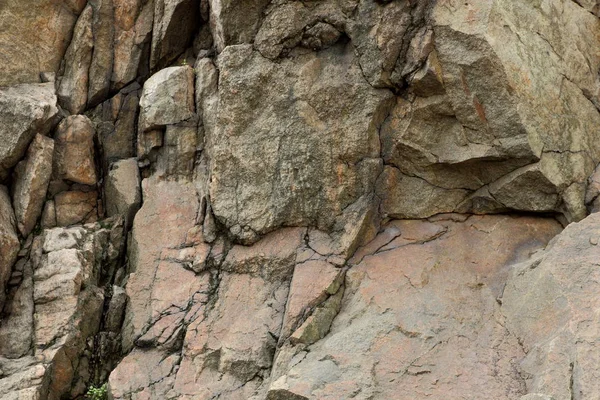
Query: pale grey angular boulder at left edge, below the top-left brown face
{"points": [[24, 111]]}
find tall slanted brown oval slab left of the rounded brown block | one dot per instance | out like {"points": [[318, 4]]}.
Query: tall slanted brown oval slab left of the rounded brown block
{"points": [[32, 176]]}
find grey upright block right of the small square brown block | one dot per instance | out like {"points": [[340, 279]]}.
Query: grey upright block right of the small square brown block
{"points": [[122, 190]]}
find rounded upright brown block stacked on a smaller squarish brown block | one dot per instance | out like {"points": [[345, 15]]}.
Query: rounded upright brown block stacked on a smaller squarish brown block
{"points": [[74, 150]]}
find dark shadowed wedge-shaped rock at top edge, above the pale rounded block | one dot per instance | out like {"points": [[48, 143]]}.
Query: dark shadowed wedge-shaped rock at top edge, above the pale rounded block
{"points": [[175, 22]]}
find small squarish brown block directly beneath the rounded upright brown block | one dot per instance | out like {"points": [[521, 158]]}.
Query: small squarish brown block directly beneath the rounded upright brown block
{"points": [[75, 207]]}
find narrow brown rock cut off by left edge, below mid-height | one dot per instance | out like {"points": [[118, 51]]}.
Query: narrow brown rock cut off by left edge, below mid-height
{"points": [[9, 242]]}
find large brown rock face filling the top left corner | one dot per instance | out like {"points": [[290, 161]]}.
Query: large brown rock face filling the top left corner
{"points": [[40, 28]]}
